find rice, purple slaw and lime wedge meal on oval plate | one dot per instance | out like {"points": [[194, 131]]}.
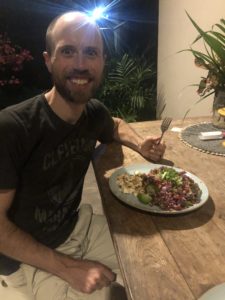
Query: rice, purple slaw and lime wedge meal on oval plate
{"points": [[164, 187]]}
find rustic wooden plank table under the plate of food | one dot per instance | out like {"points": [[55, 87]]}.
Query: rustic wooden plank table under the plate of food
{"points": [[167, 257]]}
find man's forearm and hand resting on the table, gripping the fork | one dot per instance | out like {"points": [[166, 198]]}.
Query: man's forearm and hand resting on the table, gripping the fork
{"points": [[148, 147]]}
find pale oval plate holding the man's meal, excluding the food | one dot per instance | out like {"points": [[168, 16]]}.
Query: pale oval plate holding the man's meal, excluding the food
{"points": [[145, 168]]}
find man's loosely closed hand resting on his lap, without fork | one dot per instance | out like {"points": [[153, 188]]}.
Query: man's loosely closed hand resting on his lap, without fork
{"points": [[86, 276]]}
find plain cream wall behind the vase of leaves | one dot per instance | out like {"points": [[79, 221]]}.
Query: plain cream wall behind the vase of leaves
{"points": [[176, 71]]}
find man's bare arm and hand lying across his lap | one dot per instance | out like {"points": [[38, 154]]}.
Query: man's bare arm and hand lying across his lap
{"points": [[83, 275]]}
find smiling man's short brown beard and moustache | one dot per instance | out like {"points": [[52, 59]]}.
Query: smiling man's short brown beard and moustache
{"points": [[74, 95]]}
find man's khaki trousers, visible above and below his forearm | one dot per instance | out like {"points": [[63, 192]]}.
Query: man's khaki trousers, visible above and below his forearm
{"points": [[89, 240]]}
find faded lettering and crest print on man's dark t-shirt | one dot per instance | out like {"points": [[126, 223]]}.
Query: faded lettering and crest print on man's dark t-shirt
{"points": [[68, 158]]}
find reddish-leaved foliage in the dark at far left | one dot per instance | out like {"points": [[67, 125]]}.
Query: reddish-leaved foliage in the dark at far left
{"points": [[12, 60]]}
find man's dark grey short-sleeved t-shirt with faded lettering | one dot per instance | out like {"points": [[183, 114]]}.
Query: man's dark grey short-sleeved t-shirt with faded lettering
{"points": [[45, 159]]}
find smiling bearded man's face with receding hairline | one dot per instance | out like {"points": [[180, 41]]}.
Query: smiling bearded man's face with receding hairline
{"points": [[77, 61]]}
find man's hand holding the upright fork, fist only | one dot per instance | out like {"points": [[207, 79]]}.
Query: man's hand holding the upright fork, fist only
{"points": [[151, 149]]}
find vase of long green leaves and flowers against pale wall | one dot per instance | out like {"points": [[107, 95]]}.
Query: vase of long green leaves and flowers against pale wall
{"points": [[213, 60]]}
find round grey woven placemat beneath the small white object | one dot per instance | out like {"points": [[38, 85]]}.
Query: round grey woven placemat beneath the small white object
{"points": [[190, 134]]}
